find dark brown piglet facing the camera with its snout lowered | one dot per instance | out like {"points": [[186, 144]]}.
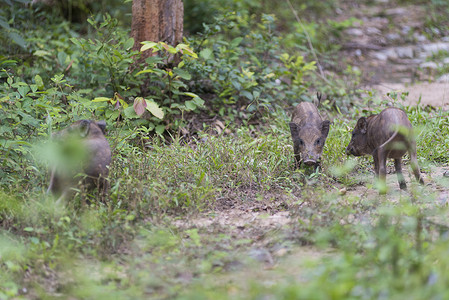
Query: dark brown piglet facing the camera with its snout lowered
{"points": [[309, 133]]}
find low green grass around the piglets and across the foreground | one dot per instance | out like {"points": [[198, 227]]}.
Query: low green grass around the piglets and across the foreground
{"points": [[147, 242]]}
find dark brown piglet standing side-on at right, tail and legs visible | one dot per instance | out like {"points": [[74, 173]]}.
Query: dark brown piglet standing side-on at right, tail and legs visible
{"points": [[386, 135]]}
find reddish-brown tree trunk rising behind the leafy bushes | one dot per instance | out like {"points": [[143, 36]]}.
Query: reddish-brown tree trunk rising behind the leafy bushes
{"points": [[157, 21]]}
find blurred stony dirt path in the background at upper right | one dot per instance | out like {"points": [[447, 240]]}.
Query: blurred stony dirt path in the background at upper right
{"points": [[391, 48]]}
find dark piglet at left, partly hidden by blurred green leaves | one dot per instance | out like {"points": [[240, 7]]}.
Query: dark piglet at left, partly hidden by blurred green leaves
{"points": [[87, 151]]}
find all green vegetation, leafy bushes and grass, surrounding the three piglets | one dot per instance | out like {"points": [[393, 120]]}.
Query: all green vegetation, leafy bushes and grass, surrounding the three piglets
{"points": [[169, 226]]}
